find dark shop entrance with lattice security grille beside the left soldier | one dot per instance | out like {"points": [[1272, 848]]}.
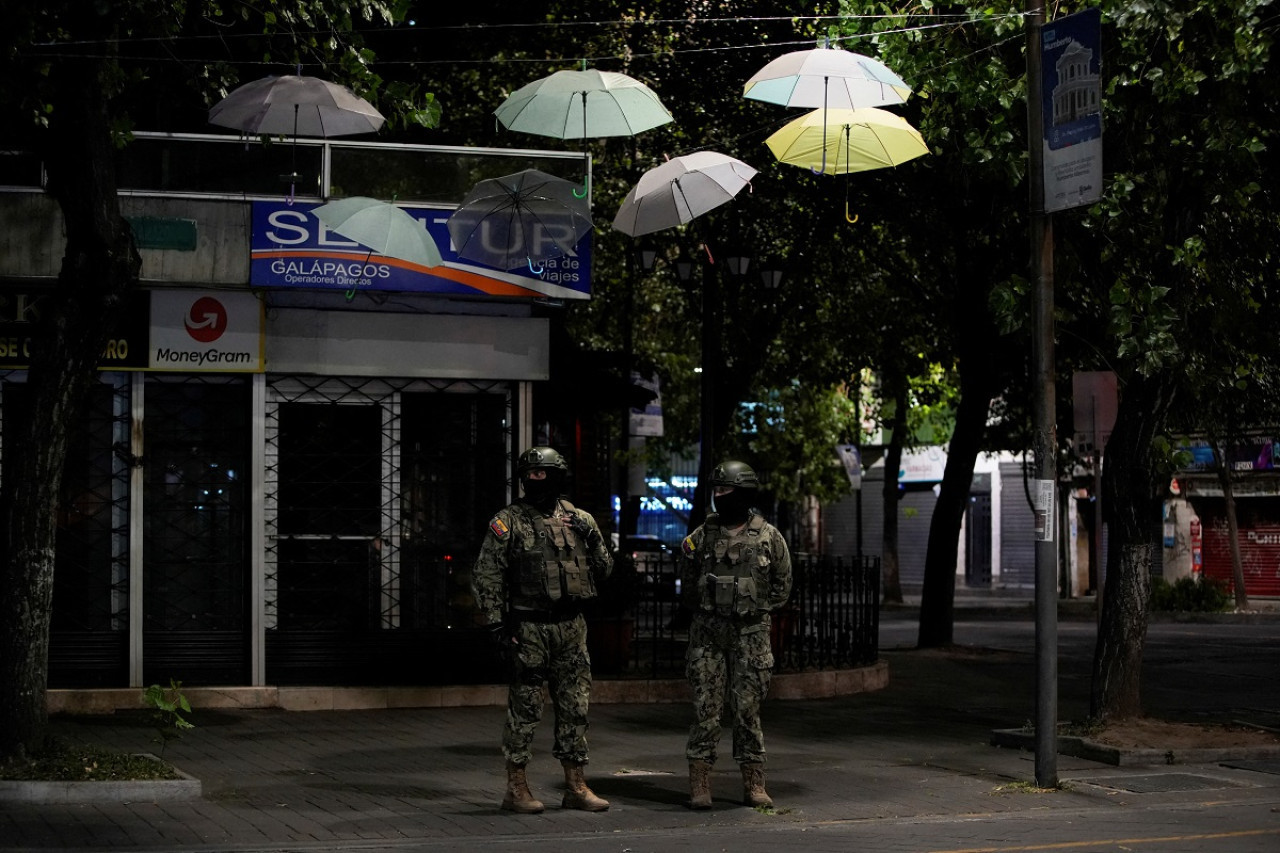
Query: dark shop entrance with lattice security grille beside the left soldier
{"points": [[376, 498]]}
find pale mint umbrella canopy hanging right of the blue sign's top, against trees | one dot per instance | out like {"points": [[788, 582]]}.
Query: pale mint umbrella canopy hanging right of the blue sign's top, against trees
{"points": [[578, 104]]}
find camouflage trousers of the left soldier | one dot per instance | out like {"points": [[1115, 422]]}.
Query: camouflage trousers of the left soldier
{"points": [[556, 654]]}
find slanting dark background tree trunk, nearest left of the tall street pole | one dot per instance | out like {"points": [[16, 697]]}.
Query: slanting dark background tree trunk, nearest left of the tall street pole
{"points": [[938, 600]]}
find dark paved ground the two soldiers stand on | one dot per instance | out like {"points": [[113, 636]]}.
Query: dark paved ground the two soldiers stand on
{"points": [[908, 761]]}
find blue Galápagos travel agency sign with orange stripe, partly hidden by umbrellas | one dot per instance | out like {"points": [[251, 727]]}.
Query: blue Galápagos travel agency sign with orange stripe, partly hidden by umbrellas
{"points": [[292, 249]]}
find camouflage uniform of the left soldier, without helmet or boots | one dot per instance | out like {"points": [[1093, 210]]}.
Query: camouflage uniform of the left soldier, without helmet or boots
{"points": [[534, 573]]}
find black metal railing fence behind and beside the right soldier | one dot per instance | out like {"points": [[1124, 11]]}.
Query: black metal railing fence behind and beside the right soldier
{"points": [[831, 621]]}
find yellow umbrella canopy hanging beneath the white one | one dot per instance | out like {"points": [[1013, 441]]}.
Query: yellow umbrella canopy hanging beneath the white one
{"points": [[843, 142]]}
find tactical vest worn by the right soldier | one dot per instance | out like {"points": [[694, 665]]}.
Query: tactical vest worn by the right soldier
{"points": [[734, 567]]}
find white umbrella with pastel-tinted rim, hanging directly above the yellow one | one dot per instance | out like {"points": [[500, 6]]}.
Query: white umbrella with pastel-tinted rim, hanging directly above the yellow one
{"points": [[828, 77]]}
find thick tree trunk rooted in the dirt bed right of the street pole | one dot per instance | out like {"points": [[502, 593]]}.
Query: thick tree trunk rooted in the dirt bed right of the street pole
{"points": [[1133, 489]]}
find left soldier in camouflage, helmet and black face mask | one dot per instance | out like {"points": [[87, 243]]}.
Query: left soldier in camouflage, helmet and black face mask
{"points": [[541, 562]]}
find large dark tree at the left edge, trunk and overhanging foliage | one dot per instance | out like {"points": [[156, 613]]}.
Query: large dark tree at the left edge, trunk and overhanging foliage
{"points": [[75, 74]]}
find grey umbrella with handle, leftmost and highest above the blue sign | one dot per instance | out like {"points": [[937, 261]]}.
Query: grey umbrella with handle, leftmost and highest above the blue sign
{"points": [[294, 104]]}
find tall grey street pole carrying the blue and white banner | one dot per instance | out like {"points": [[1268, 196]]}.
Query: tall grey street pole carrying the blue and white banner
{"points": [[1045, 419]]}
